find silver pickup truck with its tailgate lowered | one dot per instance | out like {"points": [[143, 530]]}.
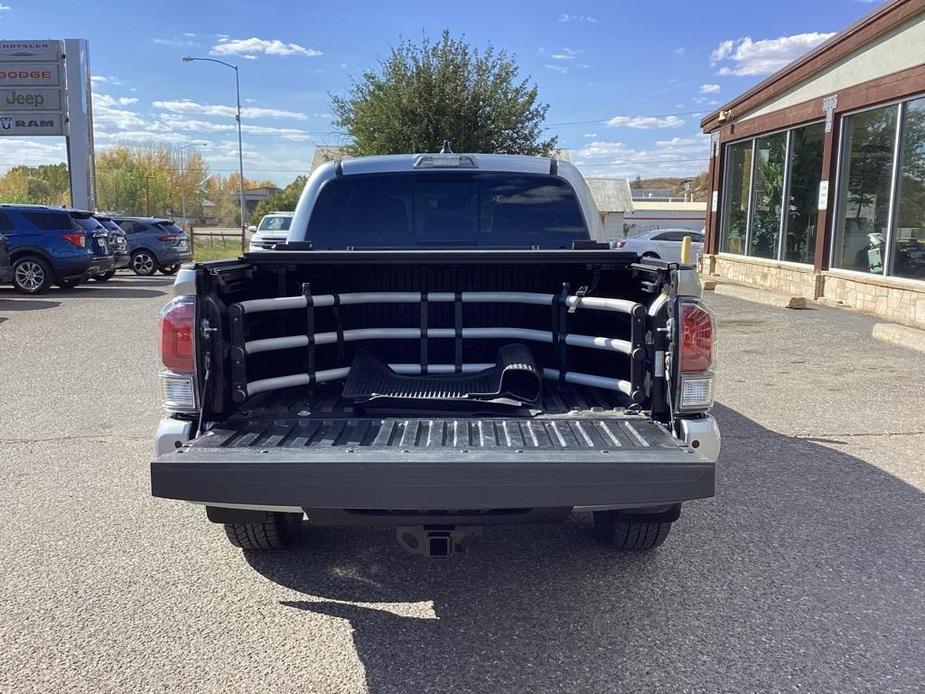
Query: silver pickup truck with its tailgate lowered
{"points": [[445, 342]]}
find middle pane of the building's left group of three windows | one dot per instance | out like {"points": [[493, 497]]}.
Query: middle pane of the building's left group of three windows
{"points": [[769, 195]]}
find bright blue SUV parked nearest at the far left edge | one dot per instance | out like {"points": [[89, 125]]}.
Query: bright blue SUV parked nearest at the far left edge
{"points": [[47, 247]]}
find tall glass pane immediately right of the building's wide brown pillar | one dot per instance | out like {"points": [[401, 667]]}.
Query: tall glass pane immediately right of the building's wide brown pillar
{"points": [[866, 178]]}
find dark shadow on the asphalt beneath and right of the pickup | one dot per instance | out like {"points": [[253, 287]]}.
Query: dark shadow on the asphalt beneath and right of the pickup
{"points": [[804, 573]]}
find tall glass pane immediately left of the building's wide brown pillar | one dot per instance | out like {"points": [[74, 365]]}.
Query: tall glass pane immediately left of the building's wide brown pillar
{"points": [[802, 207]]}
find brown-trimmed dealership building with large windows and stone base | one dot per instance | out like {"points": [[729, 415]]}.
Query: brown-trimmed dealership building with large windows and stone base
{"points": [[818, 172]]}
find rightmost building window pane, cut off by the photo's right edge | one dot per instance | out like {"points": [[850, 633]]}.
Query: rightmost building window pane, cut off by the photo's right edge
{"points": [[909, 232]]}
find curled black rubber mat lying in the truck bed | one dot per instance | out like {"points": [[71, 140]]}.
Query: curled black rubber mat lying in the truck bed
{"points": [[515, 380]]}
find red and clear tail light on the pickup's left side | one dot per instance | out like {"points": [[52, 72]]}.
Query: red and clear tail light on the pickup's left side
{"points": [[178, 343]]}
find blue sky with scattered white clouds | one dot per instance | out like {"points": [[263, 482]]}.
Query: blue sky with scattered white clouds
{"points": [[626, 82]]}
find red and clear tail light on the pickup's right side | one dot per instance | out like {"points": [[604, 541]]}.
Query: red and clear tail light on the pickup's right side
{"points": [[696, 355]]}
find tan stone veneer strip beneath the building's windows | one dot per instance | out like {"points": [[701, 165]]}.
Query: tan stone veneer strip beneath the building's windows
{"points": [[898, 301]]}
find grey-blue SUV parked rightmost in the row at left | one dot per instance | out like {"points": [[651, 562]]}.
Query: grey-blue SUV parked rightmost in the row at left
{"points": [[154, 244]]}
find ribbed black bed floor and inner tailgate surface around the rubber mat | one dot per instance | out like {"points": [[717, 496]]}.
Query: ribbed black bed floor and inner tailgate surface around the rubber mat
{"points": [[568, 417]]}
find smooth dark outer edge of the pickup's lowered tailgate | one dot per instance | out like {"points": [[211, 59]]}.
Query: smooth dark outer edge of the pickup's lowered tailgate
{"points": [[265, 477]]}
